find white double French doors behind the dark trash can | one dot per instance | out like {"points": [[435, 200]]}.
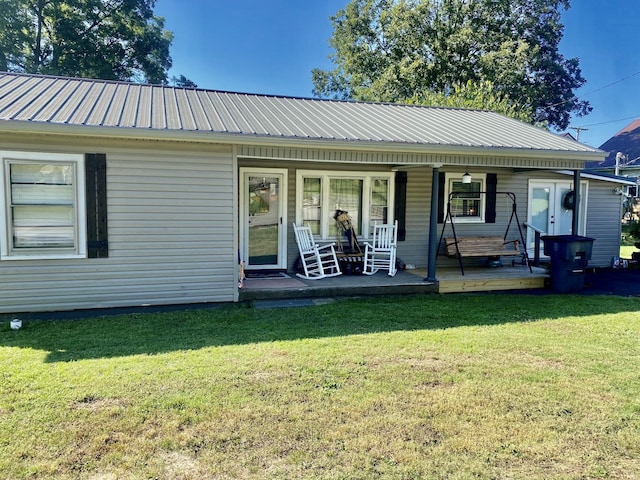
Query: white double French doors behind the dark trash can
{"points": [[548, 210]]}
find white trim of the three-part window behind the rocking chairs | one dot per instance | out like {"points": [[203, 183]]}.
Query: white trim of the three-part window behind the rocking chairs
{"points": [[325, 175]]}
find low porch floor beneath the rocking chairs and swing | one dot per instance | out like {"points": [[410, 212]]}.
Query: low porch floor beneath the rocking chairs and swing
{"points": [[450, 280]]}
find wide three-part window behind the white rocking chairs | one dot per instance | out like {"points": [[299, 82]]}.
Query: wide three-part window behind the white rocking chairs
{"points": [[366, 196]]}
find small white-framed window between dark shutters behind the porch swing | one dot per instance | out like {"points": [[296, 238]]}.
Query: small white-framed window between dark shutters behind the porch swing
{"points": [[470, 205]]}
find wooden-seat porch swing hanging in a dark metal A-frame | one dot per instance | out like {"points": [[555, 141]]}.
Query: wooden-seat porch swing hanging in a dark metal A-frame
{"points": [[483, 246]]}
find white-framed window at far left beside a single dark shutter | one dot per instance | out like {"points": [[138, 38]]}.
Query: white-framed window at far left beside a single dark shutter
{"points": [[43, 213]]}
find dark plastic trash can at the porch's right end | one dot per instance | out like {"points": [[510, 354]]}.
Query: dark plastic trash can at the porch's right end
{"points": [[569, 255]]}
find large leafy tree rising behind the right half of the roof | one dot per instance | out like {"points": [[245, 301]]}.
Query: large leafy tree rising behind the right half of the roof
{"points": [[428, 50]]}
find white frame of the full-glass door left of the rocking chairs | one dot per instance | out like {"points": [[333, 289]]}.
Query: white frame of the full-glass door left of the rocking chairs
{"points": [[245, 173]]}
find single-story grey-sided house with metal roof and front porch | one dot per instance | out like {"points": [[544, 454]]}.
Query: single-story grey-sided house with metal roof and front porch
{"points": [[117, 194]]}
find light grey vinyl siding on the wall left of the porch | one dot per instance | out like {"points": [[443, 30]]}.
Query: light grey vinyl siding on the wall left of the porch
{"points": [[171, 240]]}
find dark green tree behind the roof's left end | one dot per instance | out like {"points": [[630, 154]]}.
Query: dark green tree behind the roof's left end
{"points": [[107, 39]]}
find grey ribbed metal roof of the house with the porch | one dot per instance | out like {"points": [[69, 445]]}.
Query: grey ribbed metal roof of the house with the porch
{"points": [[73, 102]]}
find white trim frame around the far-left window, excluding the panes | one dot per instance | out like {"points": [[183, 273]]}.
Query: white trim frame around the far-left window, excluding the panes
{"points": [[7, 251]]}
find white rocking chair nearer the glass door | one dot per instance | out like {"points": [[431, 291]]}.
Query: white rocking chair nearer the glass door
{"points": [[317, 261]]}
